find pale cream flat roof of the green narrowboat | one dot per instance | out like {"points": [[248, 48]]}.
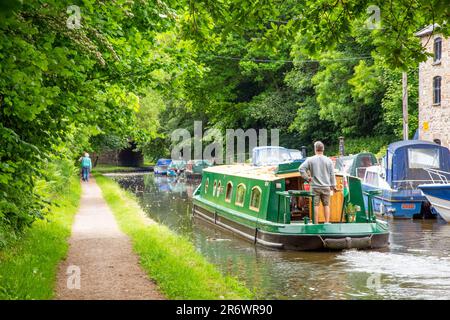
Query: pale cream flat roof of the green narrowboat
{"points": [[266, 173]]}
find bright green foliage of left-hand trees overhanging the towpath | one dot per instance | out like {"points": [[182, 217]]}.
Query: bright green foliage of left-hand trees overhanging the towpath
{"points": [[65, 90]]}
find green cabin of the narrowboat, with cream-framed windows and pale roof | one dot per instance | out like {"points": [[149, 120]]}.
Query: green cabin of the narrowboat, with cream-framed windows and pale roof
{"points": [[270, 193]]}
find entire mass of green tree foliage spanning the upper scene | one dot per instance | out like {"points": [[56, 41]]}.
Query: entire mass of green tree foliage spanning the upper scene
{"points": [[137, 70]]}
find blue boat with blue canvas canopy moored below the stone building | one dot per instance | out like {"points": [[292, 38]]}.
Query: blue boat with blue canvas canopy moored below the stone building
{"points": [[403, 169]]}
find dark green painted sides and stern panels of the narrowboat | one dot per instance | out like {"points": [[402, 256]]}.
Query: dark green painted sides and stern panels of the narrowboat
{"points": [[274, 213]]}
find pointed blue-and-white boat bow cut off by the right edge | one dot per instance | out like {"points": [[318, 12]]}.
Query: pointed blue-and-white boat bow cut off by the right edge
{"points": [[438, 192]]}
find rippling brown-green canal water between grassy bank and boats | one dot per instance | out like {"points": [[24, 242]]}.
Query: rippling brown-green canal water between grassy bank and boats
{"points": [[415, 266]]}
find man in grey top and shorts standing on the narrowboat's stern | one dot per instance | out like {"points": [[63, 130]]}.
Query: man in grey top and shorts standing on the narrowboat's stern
{"points": [[318, 171]]}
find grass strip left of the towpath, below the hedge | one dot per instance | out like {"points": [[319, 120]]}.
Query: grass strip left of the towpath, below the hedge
{"points": [[28, 267]]}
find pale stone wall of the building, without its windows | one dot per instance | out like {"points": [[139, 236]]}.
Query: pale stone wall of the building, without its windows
{"points": [[434, 120]]}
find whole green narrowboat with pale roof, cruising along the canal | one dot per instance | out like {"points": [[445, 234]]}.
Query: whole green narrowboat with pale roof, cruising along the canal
{"points": [[271, 206]]}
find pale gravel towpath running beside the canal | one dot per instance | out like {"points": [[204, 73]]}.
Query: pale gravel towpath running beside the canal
{"points": [[108, 266]]}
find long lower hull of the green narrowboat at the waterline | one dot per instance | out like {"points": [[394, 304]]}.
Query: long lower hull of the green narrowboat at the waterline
{"points": [[294, 236]]}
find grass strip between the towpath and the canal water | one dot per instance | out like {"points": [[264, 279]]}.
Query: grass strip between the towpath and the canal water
{"points": [[169, 259]]}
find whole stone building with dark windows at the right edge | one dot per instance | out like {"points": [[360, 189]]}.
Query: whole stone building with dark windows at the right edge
{"points": [[434, 87]]}
